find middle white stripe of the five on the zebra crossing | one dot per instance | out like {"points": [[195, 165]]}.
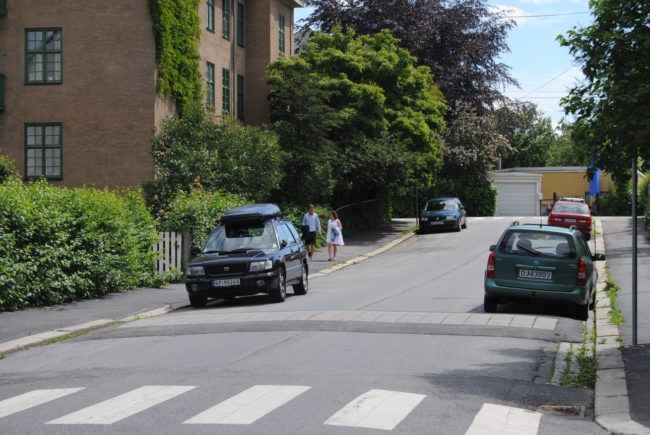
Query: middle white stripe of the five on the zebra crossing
{"points": [[249, 406]]}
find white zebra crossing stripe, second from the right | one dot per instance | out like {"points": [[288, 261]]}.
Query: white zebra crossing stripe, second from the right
{"points": [[376, 409]]}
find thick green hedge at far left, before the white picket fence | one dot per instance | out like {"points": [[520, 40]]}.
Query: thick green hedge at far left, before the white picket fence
{"points": [[58, 245]]}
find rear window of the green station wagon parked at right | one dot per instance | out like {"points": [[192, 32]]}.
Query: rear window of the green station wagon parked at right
{"points": [[537, 244]]}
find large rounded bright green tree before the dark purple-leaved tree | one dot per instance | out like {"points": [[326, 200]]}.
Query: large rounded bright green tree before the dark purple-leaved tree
{"points": [[356, 116]]}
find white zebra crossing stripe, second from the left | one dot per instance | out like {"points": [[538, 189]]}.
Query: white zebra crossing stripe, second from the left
{"points": [[123, 406]]}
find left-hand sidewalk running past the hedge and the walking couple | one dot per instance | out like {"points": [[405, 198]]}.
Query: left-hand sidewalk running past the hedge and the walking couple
{"points": [[39, 324]]}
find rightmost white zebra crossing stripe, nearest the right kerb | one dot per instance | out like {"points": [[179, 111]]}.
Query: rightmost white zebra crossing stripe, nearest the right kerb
{"points": [[504, 420]]}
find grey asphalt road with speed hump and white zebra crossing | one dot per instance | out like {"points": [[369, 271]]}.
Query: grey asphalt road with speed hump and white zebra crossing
{"points": [[397, 343]]}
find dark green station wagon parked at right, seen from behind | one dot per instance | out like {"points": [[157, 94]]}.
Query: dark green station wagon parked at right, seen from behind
{"points": [[533, 262]]}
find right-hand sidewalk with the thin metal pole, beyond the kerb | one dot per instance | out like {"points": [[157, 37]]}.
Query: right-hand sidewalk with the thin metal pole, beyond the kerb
{"points": [[636, 359]]}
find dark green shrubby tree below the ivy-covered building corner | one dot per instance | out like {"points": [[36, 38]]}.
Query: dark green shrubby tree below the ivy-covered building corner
{"points": [[227, 156]]}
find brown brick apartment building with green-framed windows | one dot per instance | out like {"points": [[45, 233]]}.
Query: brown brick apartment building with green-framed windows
{"points": [[78, 100]]}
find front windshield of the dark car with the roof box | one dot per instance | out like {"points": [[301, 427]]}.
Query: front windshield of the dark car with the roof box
{"points": [[242, 236]]}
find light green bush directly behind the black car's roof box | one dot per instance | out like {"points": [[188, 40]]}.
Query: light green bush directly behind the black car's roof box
{"points": [[198, 211]]}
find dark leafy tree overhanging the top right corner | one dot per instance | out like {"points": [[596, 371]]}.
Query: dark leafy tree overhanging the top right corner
{"points": [[611, 106]]}
